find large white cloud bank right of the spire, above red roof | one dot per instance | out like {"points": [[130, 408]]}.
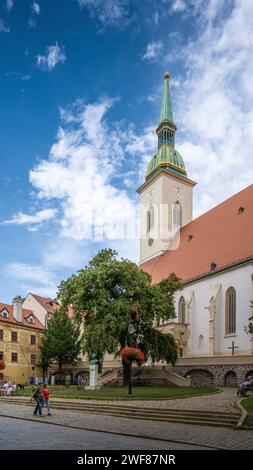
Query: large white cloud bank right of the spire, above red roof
{"points": [[214, 103]]}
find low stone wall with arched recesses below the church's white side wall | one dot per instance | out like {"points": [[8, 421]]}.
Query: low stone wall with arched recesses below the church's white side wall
{"points": [[218, 375]]}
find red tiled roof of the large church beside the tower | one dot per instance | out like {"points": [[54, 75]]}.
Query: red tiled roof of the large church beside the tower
{"points": [[223, 236]]}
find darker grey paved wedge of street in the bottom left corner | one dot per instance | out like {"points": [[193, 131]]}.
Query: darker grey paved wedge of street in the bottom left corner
{"points": [[26, 435]]}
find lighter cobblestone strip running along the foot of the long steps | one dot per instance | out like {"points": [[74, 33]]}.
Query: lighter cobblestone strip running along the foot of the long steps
{"points": [[211, 437]]}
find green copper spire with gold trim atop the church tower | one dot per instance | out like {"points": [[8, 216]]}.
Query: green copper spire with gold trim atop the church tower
{"points": [[166, 157]]}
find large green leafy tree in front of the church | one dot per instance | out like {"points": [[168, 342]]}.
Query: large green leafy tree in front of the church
{"points": [[109, 294]]}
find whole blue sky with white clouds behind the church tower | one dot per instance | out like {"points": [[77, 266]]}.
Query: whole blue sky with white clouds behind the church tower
{"points": [[81, 84]]}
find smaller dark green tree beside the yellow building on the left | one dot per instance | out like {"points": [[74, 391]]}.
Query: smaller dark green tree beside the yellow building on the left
{"points": [[62, 341]]}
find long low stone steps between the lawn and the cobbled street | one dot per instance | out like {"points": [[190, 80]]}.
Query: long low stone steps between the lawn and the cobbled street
{"points": [[204, 418]]}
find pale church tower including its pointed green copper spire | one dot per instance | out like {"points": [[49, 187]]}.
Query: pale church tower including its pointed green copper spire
{"points": [[166, 195]]}
